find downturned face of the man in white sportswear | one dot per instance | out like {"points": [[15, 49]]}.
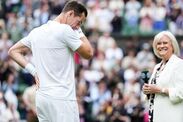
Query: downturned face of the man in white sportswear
{"points": [[75, 21]]}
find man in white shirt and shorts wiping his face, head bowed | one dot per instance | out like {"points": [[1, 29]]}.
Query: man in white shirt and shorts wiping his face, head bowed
{"points": [[53, 45]]}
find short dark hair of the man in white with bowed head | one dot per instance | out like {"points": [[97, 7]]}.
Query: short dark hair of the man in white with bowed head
{"points": [[77, 7]]}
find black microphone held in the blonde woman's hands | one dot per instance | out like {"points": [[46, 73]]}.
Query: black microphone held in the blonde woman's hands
{"points": [[145, 76]]}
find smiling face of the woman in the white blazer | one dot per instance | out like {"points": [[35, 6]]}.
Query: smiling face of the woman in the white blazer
{"points": [[164, 47]]}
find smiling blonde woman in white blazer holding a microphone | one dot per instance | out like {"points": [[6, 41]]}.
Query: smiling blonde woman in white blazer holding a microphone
{"points": [[165, 88]]}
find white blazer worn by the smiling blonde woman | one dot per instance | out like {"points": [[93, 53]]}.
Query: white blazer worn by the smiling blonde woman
{"points": [[169, 108]]}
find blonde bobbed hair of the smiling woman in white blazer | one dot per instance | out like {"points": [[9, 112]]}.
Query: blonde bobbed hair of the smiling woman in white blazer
{"points": [[176, 49]]}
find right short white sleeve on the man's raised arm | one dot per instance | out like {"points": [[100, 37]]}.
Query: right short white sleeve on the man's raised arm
{"points": [[71, 38]]}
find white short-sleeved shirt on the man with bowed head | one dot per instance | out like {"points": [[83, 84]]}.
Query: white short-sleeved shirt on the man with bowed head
{"points": [[53, 45]]}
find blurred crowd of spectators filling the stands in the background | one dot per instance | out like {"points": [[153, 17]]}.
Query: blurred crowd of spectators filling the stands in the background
{"points": [[109, 85]]}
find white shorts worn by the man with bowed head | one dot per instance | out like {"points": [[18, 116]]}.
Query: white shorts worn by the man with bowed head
{"points": [[56, 110]]}
